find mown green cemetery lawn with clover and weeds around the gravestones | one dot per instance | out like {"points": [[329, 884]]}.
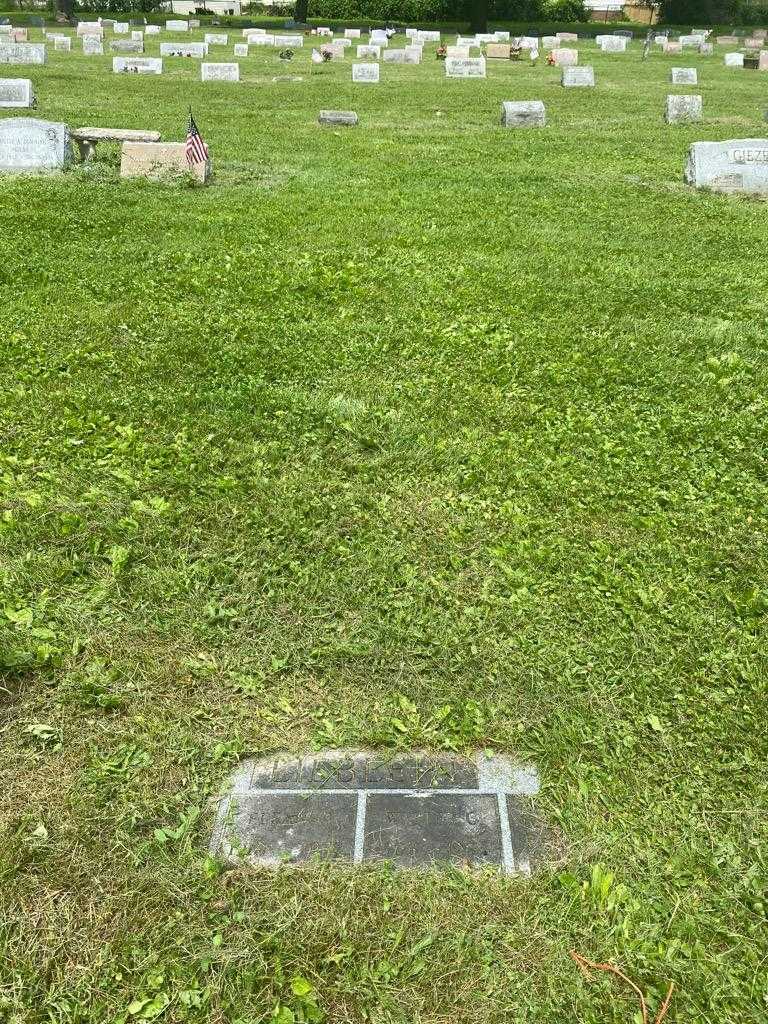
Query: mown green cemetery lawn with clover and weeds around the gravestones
{"points": [[423, 434]]}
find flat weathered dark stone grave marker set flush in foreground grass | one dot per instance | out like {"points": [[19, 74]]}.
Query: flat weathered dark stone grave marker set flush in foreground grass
{"points": [[412, 809]]}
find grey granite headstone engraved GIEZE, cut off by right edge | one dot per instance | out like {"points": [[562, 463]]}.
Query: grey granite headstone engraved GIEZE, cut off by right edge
{"points": [[738, 165]]}
